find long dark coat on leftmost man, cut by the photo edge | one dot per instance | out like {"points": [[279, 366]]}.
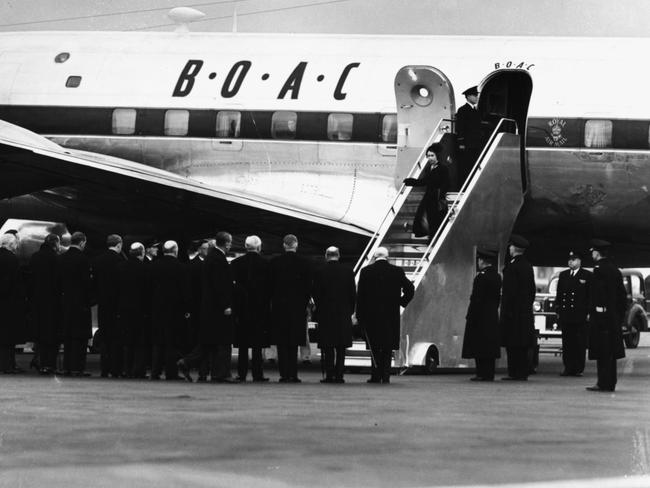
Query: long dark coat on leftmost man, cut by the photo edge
{"points": [[13, 300]]}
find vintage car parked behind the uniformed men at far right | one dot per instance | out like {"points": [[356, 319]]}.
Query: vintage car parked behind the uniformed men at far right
{"points": [[635, 322]]}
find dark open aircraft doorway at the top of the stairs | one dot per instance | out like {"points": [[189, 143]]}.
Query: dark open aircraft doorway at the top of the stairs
{"points": [[506, 94]]}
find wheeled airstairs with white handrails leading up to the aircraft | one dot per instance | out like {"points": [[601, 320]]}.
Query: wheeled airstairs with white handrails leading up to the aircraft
{"points": [[442, 269]]}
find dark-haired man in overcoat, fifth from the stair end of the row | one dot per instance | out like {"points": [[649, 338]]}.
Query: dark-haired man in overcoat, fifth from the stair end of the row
{"points": [[216, 332]]}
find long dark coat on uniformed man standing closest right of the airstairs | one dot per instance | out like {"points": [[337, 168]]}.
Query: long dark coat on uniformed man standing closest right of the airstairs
{"points": [[482, 338]]}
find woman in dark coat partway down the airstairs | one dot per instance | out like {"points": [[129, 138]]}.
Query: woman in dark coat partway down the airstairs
{"points": [[433, 207]]}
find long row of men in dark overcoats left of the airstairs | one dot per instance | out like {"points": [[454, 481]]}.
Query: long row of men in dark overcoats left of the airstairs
{"points": [[160, 315]]}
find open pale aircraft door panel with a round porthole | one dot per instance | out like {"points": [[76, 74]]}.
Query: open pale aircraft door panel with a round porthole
{"points": [[424, 96]]}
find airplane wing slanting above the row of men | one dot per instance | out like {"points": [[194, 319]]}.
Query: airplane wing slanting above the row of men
{"points": [[119, 190]]}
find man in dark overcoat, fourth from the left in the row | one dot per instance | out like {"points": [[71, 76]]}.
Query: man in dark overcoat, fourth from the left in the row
{"points": [[106, 277]]}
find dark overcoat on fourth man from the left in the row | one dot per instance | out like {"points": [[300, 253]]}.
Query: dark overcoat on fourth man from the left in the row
{"points": [[106, 277]]}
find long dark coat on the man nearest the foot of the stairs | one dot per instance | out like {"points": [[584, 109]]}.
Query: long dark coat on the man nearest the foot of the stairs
{"points": [[383, 288]]}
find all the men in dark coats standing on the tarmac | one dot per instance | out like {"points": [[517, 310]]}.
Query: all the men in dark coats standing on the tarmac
{"points": [[166, 316]]}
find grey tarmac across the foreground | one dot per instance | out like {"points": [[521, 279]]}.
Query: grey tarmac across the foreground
{"points": [[439, 430]]}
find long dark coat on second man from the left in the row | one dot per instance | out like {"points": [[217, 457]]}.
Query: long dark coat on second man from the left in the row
{"points": [[46, 295]]}
